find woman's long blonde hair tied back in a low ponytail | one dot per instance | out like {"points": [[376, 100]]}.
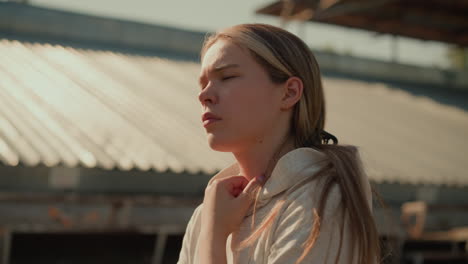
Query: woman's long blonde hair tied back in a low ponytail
{"points": [[283, 55]]}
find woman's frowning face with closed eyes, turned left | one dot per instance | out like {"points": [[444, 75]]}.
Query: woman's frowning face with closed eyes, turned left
{"points": [[237, 89]]}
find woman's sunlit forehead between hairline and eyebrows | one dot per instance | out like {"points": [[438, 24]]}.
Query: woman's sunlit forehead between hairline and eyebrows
{"points": [[223, 52]]}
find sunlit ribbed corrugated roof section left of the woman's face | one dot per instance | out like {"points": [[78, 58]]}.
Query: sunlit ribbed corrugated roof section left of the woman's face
{"points": [[100, 108]]}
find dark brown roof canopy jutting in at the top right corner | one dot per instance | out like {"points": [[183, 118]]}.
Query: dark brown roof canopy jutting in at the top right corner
{"points": [[439, 20]]}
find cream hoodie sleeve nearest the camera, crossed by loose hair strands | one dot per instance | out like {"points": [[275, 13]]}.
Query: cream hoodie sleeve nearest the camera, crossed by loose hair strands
{"points": [[295, 224]]}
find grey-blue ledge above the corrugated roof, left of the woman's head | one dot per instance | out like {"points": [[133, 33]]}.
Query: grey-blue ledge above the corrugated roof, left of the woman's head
{"points": [[26, 20]]}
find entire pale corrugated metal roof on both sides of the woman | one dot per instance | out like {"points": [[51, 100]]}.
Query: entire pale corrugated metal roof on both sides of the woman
{"points": [[100, 108]]}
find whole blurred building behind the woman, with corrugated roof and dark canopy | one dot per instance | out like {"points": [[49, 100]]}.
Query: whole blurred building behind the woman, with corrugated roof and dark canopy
{"points": [[103, 157]]}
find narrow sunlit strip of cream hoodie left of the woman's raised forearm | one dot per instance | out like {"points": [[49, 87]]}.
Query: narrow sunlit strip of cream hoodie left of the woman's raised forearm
{"points": [[187, 252]]}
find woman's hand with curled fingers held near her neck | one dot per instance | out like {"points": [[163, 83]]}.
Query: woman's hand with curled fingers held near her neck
{"points": [[226, 203]]}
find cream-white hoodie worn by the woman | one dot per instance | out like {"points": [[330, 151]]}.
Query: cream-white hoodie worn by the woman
{"points": [[291, 228]]}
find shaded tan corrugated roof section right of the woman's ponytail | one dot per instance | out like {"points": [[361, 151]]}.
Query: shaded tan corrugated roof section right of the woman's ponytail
{"points": [[403, 137]]}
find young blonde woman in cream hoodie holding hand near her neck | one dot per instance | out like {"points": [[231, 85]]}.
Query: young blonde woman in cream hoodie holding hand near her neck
{"points": [[291, 197]]}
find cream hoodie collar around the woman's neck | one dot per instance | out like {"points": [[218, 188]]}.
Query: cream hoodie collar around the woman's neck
{"points": [[289, 170]]}
